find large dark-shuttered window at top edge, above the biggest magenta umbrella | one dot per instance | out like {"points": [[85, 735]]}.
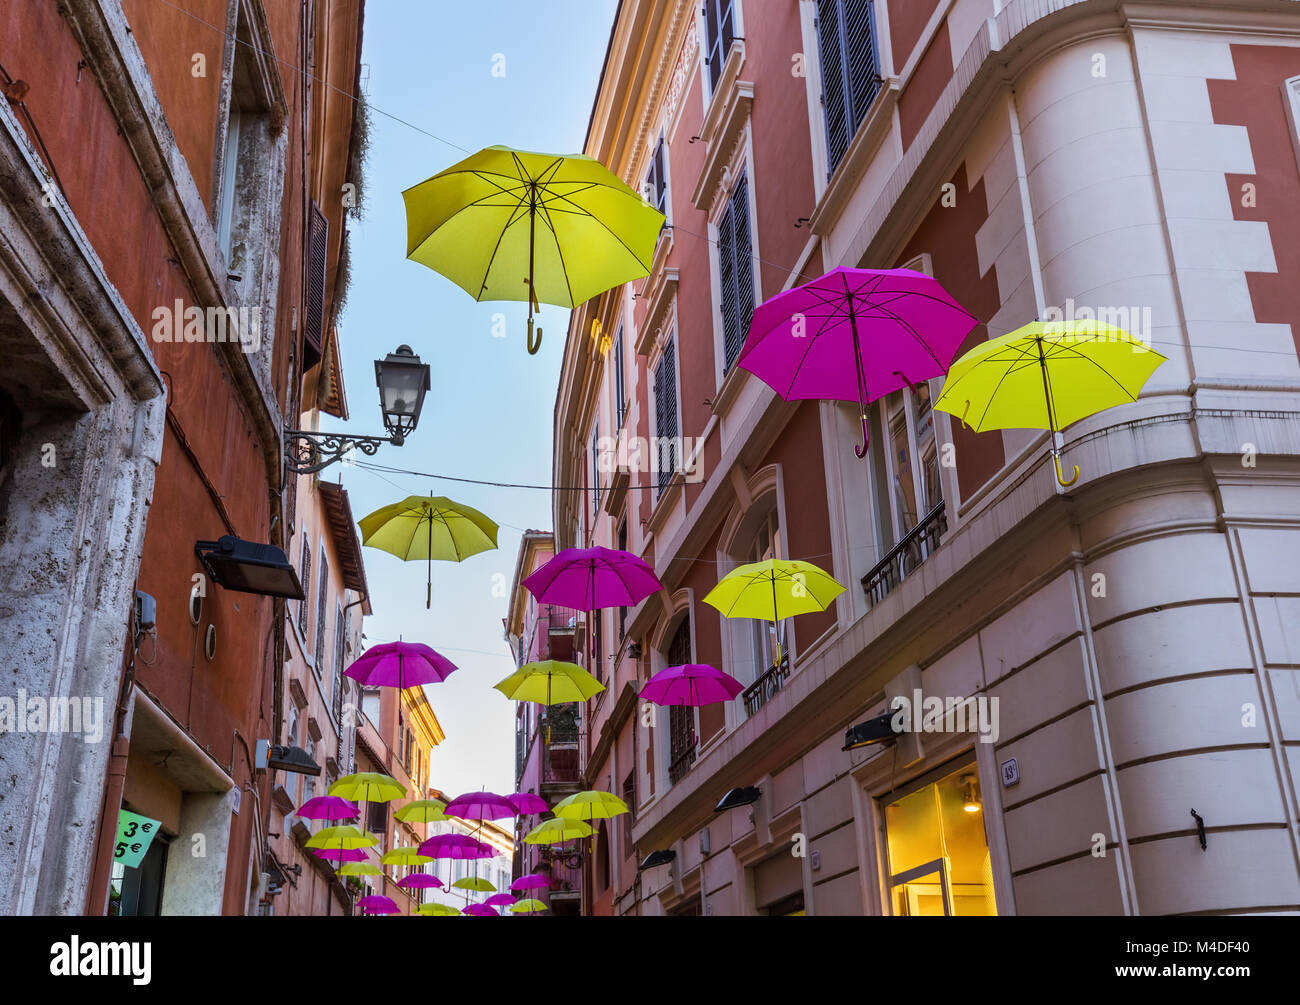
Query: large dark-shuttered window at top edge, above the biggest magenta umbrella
{"points": [[851, 71]]}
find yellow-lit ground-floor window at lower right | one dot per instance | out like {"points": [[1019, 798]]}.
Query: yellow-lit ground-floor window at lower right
{"points": [[939, 859]]}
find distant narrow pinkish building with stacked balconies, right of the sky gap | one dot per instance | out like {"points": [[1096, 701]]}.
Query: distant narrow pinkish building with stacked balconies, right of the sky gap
{"points": [[548, 740]]}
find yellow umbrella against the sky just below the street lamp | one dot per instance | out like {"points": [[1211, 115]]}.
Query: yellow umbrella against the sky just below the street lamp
{"points": [[430, 529]]}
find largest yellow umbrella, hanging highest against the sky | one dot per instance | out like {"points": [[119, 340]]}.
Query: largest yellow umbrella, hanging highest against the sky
{"points": [[544, 228]]}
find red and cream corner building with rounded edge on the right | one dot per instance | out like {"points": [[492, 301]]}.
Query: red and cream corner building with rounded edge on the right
{"points": [[1130, 638]]}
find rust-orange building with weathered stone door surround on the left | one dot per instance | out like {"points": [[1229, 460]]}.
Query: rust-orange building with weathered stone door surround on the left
{"points": [[174, 202]]}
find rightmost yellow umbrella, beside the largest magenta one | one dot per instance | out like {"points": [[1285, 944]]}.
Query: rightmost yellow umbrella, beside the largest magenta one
{"points": [[1047, 376]]}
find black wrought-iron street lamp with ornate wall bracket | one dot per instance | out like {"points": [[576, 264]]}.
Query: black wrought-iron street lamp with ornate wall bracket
{"points": [[402, 380]]}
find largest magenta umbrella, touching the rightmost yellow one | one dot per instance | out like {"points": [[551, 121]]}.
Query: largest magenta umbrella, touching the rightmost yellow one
{"points": [[856, 336]]}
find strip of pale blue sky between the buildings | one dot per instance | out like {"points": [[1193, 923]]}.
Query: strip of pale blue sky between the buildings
{"points": [[489, 414]]}
